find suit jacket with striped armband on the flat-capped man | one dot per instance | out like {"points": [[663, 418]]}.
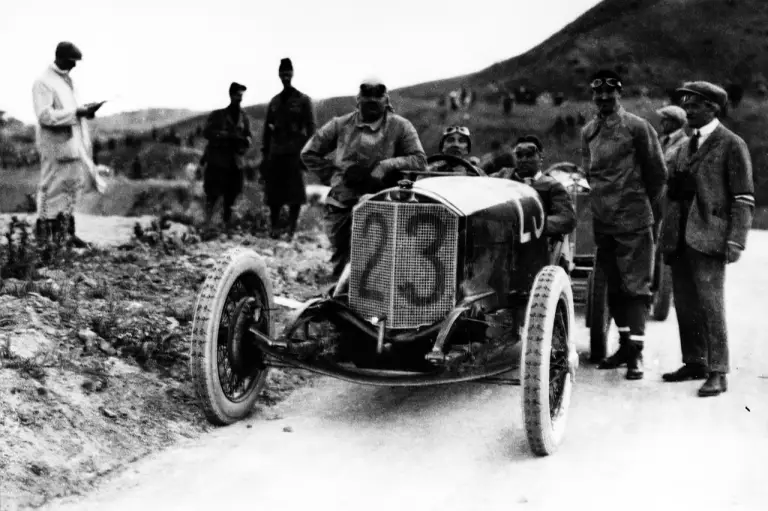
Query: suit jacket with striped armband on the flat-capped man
{"points": [[720, 211]]}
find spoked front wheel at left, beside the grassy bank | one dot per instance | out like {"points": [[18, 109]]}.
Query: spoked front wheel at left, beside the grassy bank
{"points": [[228, 370]]}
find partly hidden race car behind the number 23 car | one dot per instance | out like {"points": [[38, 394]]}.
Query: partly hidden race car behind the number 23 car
{"points": [[590, 286]]}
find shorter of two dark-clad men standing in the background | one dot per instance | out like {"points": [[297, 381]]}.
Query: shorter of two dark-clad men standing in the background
{"points": [[228, 132]]}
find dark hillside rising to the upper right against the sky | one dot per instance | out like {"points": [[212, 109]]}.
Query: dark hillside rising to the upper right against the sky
{"points": [[654, 43]]}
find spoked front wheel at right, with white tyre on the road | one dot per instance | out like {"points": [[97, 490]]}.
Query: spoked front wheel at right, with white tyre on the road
{"points": [[550, 360]]}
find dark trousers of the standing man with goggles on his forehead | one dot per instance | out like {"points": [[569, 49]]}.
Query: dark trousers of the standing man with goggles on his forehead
{"points": [[626, 260]]}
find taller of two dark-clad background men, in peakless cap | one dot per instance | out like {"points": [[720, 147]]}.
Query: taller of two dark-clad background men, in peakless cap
{"points": [[289, 124]]}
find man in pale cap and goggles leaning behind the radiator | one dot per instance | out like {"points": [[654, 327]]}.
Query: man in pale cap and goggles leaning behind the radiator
{"points": [[370, 146]]}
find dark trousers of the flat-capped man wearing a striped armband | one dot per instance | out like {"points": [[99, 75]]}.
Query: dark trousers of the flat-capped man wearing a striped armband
{"points": [[698, 283]]}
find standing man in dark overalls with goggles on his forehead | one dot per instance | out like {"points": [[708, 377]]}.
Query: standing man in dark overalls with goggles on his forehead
{"points": [[627, 175]]}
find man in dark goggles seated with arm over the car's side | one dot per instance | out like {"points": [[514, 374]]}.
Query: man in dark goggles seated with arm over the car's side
{"points": [[558, 205]]}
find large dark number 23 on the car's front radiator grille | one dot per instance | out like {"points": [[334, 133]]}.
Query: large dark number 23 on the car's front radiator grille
{"points": [[430, 253]]}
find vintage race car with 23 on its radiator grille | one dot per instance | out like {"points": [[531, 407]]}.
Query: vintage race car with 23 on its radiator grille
{"points": [[450, 280]]}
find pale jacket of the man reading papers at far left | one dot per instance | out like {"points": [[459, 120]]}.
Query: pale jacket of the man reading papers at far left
{"points": [[61, 135]]}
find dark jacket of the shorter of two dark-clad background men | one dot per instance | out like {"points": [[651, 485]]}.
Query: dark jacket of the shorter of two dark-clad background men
{"points": [[229, 138]]}
